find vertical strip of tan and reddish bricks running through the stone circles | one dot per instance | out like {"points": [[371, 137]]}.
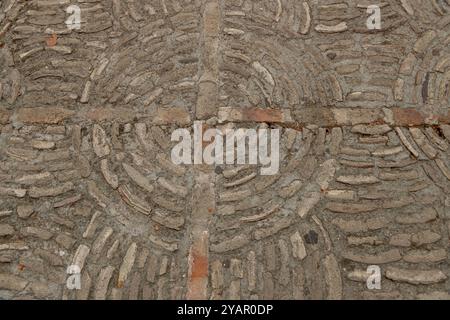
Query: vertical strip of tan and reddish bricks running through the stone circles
{"points": [[203, 196]]}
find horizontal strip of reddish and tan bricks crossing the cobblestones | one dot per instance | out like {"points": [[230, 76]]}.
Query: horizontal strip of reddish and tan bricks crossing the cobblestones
{"points": [[320, 116]]}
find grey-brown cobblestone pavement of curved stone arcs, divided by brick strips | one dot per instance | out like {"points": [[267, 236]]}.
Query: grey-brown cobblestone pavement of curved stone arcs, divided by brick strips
{"points": [[86, 177]]}
